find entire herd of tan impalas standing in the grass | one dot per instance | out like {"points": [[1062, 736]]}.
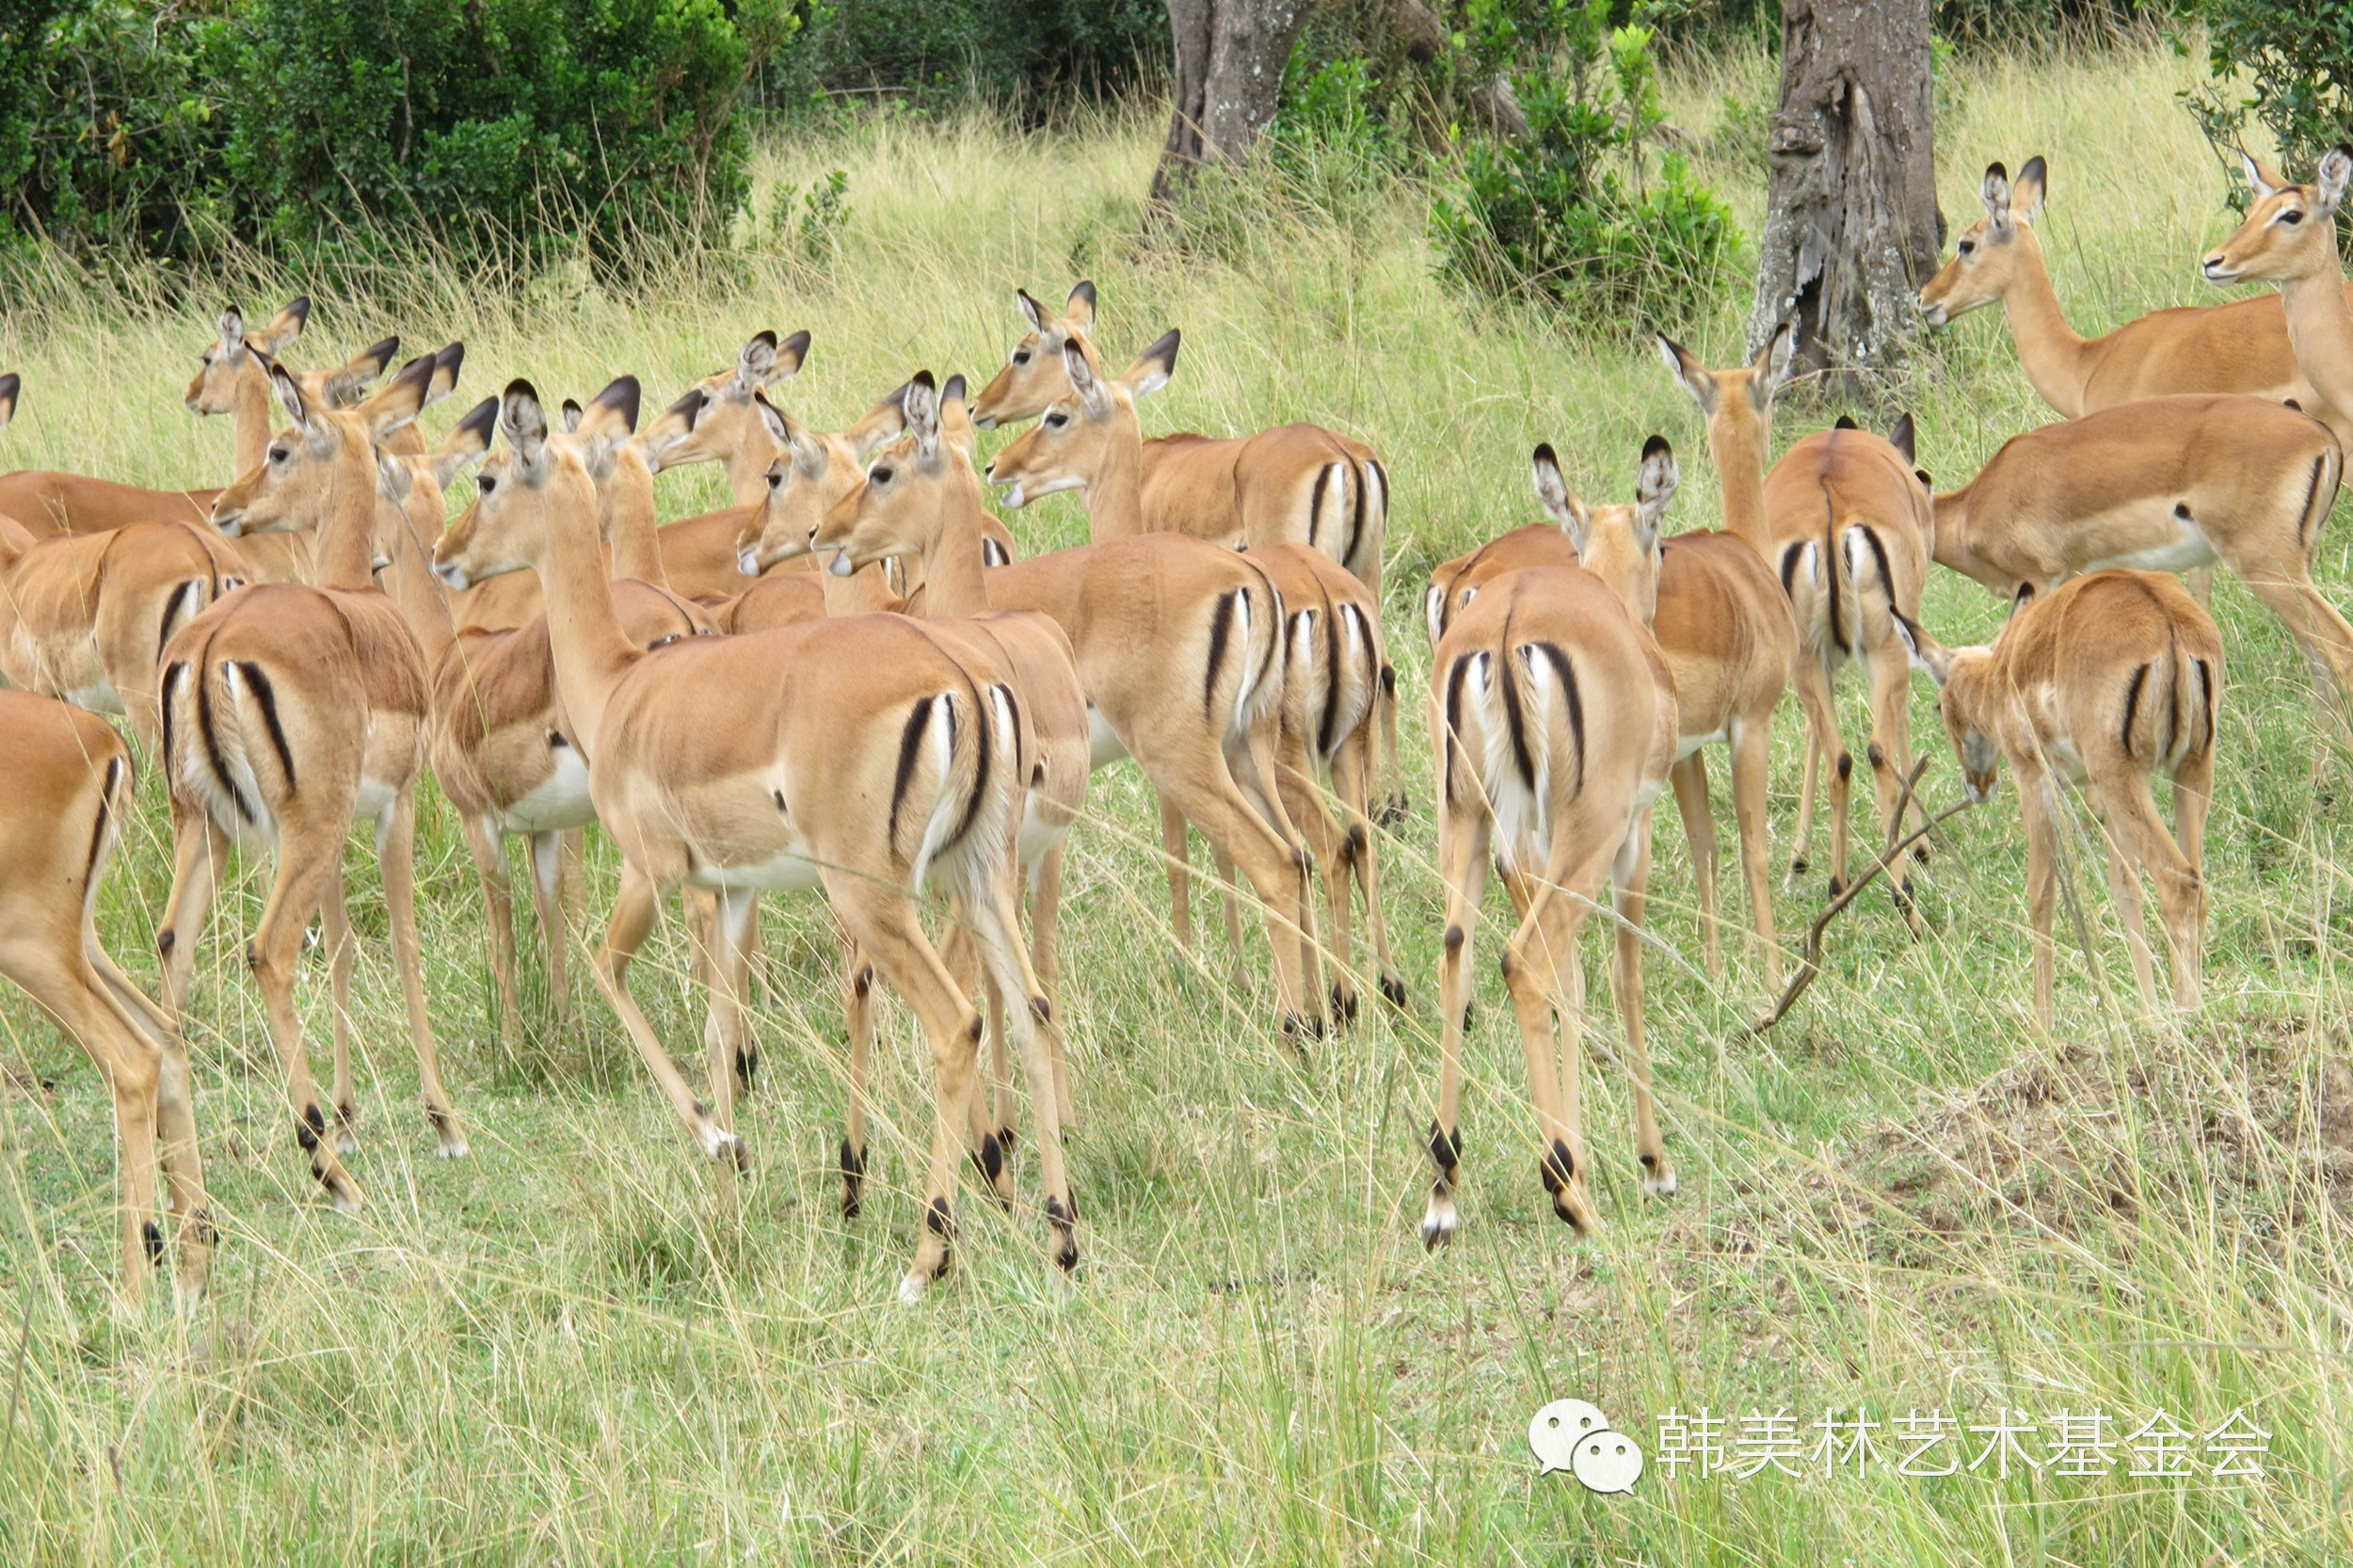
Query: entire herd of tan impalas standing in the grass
{"points": [[848, 682]]}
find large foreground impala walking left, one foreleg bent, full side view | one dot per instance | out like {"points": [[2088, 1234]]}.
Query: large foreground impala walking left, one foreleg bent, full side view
{"points": [[862, 757]]}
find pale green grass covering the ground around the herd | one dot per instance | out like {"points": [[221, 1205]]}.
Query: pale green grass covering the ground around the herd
{"points": [[556, 1353]]}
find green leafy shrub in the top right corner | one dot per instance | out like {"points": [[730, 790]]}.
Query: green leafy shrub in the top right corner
{"points": [[2298, 60]]}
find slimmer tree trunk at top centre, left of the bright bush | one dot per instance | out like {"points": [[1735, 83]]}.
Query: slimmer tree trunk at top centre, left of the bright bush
{"points": [[1229, 77]]}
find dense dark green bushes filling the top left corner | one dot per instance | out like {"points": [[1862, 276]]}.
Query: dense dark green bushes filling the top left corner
{"points": [[345, 128]]}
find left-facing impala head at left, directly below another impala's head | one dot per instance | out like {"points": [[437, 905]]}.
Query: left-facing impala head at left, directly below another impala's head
{"points": [[324, 453]]}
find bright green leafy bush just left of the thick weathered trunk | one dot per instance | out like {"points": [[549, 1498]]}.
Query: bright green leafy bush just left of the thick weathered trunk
{"points": [[1575, 208]]}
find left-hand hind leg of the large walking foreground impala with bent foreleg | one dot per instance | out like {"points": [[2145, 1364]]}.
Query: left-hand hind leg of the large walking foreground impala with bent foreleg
{"points": [[884, 924]]}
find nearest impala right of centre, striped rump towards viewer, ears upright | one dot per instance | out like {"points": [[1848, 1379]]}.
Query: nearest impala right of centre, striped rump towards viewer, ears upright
{"points": [[1554, 731]]}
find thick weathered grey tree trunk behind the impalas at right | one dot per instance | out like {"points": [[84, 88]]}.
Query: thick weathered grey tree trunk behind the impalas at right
{"points": [[1851, 225]]}
